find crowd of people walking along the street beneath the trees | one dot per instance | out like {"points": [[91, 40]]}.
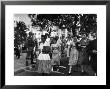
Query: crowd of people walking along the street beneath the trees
{"points": [[79, 50]]}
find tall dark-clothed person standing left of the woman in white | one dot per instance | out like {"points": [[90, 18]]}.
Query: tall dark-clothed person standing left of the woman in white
{"points": [[30, 46]]}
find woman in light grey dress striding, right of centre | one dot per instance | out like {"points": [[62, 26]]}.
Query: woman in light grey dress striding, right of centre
{"points": [[73, 56]]}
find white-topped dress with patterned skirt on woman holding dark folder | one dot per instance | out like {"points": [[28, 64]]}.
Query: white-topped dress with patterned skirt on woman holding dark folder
{"points": [[44, 62]]}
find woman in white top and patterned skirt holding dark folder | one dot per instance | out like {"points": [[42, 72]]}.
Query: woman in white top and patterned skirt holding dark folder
{"points": [[44, 62]]}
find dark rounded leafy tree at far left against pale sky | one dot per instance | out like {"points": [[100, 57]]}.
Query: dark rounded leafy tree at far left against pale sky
{"points": [[19, 33]]}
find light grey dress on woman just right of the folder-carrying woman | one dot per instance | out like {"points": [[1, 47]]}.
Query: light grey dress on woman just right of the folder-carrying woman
{"points": [[56, 55]]}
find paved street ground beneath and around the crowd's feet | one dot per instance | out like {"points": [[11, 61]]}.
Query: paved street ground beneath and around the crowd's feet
{"points": [[21, 70]]}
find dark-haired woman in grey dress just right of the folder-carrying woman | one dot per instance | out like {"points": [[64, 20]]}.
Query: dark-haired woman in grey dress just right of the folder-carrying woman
{"points": [[56, 55]]}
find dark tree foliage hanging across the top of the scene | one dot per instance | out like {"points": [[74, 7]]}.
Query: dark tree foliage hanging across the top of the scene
{"points": [[85, 22]]}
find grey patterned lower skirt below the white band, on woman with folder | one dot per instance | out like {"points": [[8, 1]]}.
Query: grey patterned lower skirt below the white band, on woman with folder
{"points": [[44, 66]]}
